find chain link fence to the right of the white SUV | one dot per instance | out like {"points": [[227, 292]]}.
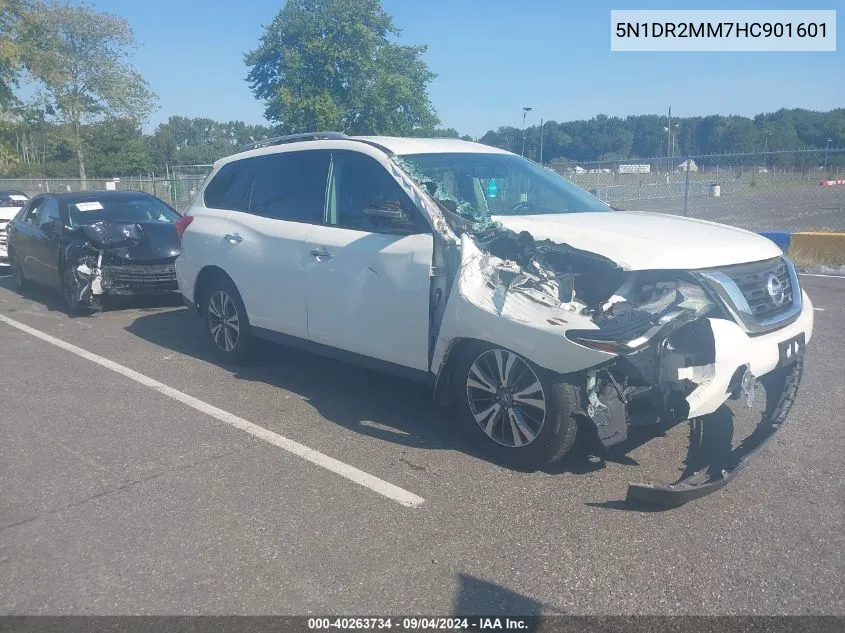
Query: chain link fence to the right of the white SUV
{"points": [[800, 190]]}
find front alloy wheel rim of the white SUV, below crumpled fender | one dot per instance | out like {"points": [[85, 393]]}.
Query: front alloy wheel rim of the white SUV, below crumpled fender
{"points": [[506, 398]]}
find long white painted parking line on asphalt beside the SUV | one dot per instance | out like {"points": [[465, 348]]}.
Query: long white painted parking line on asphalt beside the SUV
{"points": [[384, 488]]}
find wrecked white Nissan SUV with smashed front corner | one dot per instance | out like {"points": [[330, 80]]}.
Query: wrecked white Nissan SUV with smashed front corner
{"points": [[529, 304]]}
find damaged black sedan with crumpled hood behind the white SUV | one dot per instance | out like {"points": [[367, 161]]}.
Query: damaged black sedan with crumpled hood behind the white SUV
{"points": [[95, 244]]}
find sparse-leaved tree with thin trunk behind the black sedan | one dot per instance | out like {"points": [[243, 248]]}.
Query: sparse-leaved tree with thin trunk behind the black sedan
{"points": [[78, 56]]}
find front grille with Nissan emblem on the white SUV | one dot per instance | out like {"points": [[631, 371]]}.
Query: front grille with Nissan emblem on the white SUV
{"points": [[753, 281]]}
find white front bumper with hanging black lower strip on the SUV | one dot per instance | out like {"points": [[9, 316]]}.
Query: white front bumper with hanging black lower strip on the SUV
{"points": [[777, 359]]}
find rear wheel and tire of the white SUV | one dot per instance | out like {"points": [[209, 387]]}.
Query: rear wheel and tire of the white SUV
{"points": [[226, 322]]}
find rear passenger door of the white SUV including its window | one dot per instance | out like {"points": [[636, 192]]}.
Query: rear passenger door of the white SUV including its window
{"points": [[263, 247]]}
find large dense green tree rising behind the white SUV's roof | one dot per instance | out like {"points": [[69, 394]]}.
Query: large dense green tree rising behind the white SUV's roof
{"points": [[333, 65]]}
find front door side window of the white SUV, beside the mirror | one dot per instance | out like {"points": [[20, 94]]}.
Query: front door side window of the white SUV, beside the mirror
{"points": [[359, 182]]}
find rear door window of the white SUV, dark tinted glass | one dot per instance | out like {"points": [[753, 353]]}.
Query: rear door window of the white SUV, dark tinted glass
{"points": [[291, 186]]}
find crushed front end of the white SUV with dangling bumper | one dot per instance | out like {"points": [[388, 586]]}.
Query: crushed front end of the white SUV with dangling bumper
{"points": [[648, 348]]}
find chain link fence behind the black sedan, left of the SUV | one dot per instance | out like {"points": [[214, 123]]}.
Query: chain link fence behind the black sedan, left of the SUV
{"points": [[177, 188]]}
